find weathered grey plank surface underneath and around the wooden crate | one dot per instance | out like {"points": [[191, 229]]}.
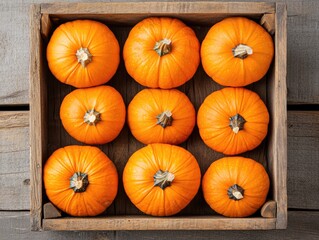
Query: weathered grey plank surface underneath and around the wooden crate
{"points": [[303, 132]]}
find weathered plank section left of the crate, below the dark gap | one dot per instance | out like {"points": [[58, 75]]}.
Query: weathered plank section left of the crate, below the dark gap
{"points": [[14, 161]]}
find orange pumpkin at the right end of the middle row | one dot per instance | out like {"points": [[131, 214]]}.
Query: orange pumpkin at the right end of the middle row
{"points": [[233, 120]]}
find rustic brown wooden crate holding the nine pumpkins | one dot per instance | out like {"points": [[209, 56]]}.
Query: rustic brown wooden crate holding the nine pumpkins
{"points": [[47, 133]]}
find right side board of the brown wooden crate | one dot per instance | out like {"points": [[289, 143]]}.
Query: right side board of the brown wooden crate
{"points": [[277, 91]]}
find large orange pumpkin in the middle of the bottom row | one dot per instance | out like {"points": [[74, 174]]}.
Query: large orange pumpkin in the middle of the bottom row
{"points": [[161, 179]]}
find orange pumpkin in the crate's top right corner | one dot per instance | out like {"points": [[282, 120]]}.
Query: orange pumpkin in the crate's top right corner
{"points": [[237, 52]]}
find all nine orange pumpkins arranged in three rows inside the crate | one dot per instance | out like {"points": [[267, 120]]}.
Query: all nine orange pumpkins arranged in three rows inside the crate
{"points": [[161, 54]]}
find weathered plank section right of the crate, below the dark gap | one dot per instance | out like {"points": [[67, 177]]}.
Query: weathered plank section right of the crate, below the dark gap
{"points": [[303, 156]]}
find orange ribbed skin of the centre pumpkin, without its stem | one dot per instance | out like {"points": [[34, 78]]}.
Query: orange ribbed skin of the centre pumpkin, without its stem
{"points": [[148, 104]]}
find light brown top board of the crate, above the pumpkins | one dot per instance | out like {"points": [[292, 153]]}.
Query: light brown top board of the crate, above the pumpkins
{"points": [[198, 7]]}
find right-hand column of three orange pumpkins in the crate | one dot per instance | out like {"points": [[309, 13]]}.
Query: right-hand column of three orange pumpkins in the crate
{"points": [[235, 53]]}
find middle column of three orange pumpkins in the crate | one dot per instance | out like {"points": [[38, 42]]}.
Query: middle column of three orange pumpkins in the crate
{"points": [[161, 54]]}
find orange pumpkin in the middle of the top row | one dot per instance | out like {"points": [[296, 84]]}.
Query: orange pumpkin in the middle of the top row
{"points": [[161, 52]]}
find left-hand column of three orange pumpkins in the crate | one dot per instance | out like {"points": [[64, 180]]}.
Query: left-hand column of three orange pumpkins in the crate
{"points": [[82, 180]]}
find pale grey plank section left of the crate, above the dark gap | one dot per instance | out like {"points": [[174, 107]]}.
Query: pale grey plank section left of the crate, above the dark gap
{"points": [[14, 52]]}
